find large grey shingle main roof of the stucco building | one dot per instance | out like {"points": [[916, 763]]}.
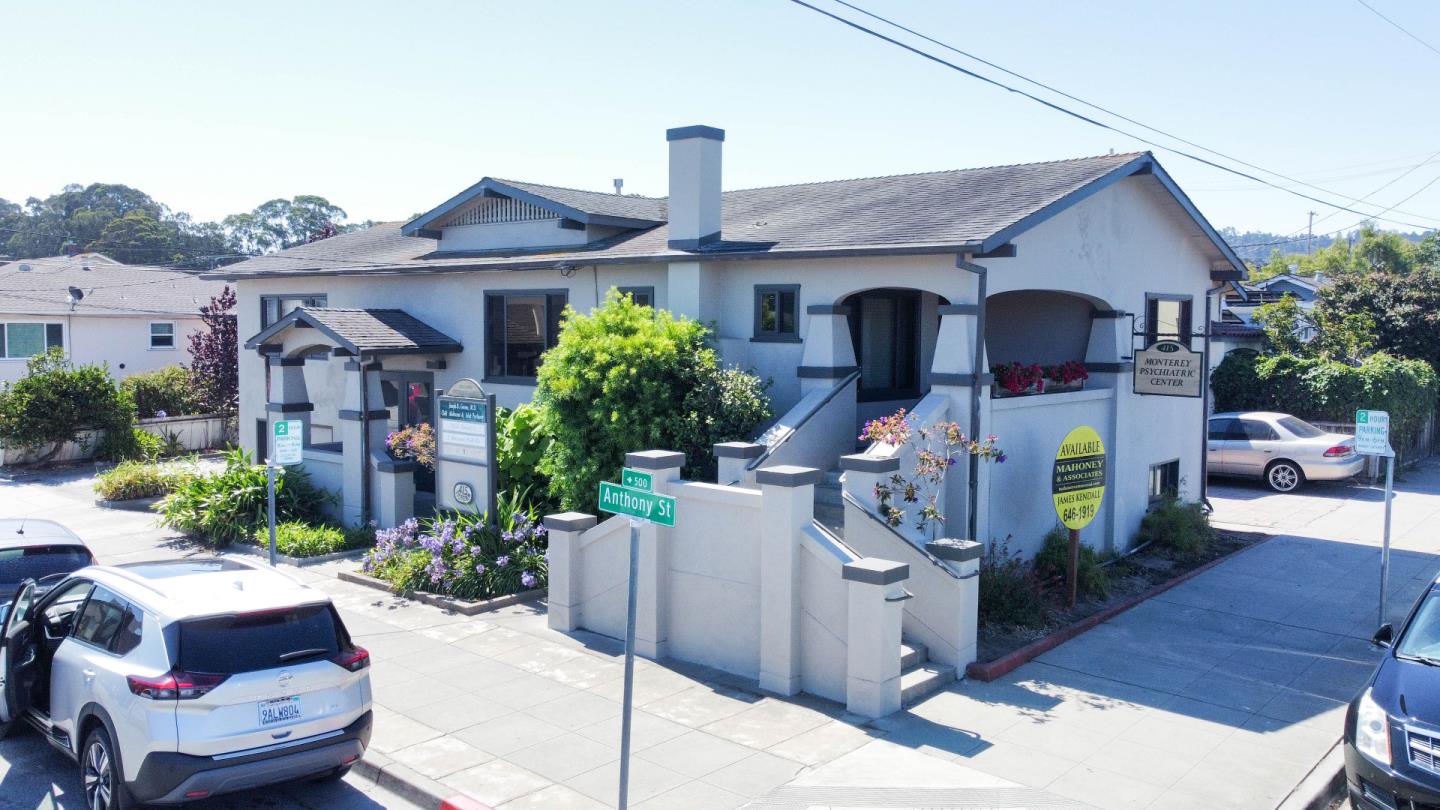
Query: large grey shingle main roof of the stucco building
{"points": [[931, 213]]}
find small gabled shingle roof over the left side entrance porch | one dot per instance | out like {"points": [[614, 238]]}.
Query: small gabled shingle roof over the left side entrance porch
{"points": [[375, 332]]}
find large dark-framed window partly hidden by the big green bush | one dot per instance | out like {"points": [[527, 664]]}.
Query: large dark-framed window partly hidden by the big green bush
{"points": [[521, 325]]}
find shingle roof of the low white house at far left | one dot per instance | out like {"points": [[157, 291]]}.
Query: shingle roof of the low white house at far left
{"points": [[41, 286]]}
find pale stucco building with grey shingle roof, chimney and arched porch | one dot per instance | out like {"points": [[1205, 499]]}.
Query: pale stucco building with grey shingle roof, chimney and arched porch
{"points": [[859, 298]]}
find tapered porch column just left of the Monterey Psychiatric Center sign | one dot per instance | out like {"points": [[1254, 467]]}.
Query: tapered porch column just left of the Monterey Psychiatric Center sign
{"points": [[1108, 361]]}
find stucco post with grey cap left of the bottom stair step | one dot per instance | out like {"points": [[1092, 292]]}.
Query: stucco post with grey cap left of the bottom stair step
{"points": [[876, 590]]}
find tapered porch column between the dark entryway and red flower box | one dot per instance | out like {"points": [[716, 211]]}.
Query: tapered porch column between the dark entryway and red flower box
{"points": [[954, 374]]}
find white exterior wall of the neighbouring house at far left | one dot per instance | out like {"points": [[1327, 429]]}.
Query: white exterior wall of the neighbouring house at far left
{"points": [[120, 342]]}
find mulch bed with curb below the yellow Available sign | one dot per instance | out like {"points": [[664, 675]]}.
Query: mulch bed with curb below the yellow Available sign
{"points": [[1133, 580]]}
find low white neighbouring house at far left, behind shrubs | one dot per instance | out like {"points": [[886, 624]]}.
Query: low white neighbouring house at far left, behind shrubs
{"points": [[130, 318]]}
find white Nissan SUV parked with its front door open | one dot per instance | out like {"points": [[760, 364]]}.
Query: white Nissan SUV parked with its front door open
{"points": [[179, 681]]}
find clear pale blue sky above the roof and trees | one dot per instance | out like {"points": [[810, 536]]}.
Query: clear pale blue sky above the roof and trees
{"points": [[390, 109]]}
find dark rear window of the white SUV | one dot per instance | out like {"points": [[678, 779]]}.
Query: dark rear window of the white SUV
{"points": [[231, 645]]}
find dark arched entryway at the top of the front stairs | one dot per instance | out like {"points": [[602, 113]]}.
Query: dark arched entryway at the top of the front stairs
{"points": [[894, 334]]}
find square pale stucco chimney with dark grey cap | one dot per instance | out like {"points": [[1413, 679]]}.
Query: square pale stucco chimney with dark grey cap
{"points": [[695, 187]]}
